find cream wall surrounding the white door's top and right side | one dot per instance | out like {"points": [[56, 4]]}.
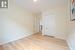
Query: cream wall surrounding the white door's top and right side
{"points": [[60, 13]]}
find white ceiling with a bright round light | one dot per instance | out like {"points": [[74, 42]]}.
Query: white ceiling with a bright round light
{"points": [[40, 5]]}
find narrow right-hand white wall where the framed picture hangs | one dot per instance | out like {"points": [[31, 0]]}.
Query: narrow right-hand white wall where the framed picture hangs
{"points": [[71, 29]]}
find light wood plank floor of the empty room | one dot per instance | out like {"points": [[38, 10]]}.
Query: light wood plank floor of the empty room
{"points": [[36, 42]]}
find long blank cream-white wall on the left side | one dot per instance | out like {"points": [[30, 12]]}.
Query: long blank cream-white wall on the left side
{"points": [[16, 23]]}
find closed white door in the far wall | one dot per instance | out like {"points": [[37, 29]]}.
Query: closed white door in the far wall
{"points": [[49, 25]]}
